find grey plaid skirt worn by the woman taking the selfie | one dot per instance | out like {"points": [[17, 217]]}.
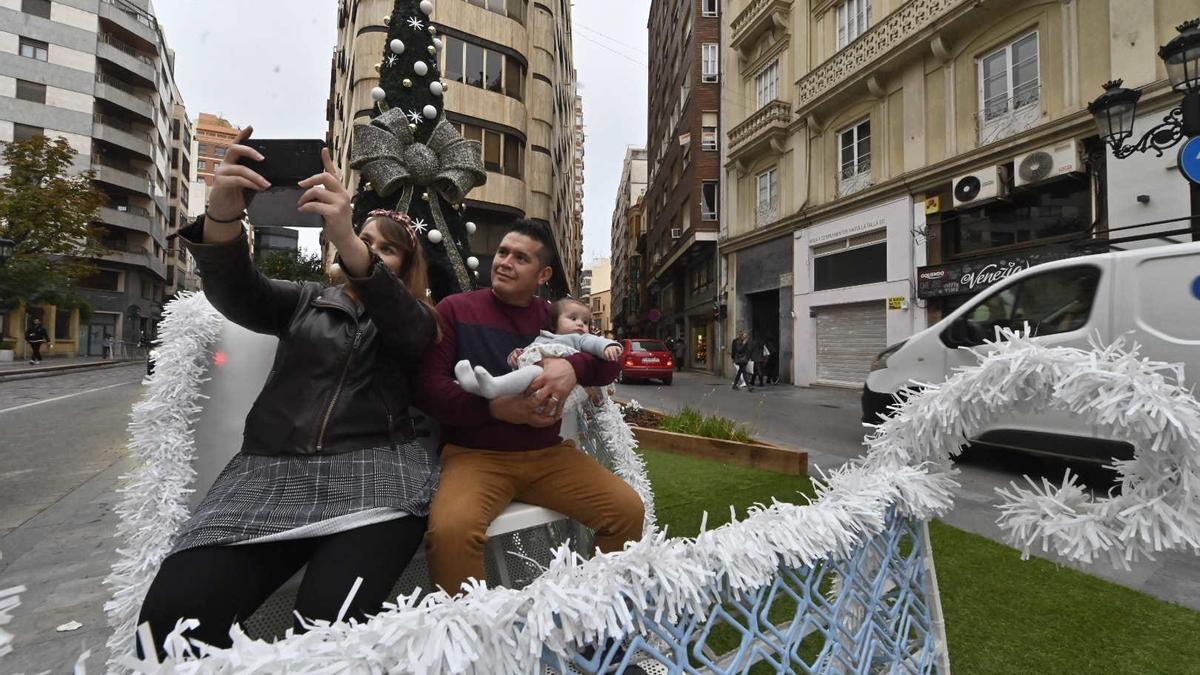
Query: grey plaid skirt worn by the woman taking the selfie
{"points": [[259, 497]]}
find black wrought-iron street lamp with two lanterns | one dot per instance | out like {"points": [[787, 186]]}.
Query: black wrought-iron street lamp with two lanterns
{"points": [[1115, 111]]}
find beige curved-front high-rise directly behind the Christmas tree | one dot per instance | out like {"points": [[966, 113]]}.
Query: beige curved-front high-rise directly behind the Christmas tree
{"points": [[511, 85]]}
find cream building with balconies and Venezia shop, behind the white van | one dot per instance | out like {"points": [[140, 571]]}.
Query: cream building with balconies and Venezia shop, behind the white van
{"points": [[887, 159]]}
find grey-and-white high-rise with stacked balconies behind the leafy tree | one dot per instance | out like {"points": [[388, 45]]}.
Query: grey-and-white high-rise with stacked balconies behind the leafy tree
{"points": [[99, 74]]}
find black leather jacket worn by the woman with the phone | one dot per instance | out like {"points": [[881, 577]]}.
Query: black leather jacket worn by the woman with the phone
{"points": [[341, 379]]}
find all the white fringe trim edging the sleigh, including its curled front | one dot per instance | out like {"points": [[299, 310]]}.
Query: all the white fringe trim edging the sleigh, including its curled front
{"points": [[578, 602]]}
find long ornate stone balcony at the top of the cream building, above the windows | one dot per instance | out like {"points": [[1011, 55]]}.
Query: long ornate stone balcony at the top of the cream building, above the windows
{"points": [[909, 28]]}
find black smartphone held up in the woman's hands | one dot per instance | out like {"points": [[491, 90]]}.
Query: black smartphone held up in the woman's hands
{"points": [[287, 162]]}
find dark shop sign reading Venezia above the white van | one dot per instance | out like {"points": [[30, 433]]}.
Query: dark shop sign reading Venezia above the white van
{"points": [[971, 277]]}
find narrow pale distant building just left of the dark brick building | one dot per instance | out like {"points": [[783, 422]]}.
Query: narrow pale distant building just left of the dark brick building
{"points": [[627, 235]]}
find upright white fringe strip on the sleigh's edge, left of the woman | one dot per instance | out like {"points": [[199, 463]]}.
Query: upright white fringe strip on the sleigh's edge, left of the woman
{"points": [[154, 504]]}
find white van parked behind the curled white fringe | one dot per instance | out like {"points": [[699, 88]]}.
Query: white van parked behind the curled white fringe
{"points": [[1147, 296]]}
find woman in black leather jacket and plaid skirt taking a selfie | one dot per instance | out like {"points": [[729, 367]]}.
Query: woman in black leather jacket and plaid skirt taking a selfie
{"points": [[329, 474]]}
